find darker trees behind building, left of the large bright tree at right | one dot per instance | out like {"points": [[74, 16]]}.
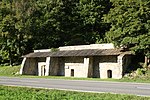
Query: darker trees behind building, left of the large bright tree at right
{"points": [[38, 24]]}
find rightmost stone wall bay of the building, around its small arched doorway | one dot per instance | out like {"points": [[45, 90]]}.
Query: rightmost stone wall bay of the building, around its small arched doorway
{"points": [[116, 64]]}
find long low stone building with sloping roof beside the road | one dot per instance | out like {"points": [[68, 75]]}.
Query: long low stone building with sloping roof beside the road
{"points": [[95, 60]]}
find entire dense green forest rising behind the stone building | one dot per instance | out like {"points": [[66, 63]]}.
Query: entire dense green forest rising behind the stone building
{"points": [[26, 25]]}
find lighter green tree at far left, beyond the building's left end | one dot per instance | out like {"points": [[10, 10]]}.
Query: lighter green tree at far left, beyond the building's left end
{"points": [[12, 29]]}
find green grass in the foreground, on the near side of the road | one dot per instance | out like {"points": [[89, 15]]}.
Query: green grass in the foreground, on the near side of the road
{"points": [[22, 93]]}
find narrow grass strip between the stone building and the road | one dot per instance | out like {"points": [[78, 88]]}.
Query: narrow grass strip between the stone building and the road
{"points": [[11, 71]]}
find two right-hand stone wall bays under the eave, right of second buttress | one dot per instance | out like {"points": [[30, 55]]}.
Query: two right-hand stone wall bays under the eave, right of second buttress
{"points": [[90, 67]]}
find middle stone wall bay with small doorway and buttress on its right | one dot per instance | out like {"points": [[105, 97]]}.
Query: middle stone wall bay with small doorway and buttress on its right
{"points": [[81, 67]]}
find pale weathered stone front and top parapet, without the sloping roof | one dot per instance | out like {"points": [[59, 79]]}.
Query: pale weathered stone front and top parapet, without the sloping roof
{"points": [[104, 66]]}
